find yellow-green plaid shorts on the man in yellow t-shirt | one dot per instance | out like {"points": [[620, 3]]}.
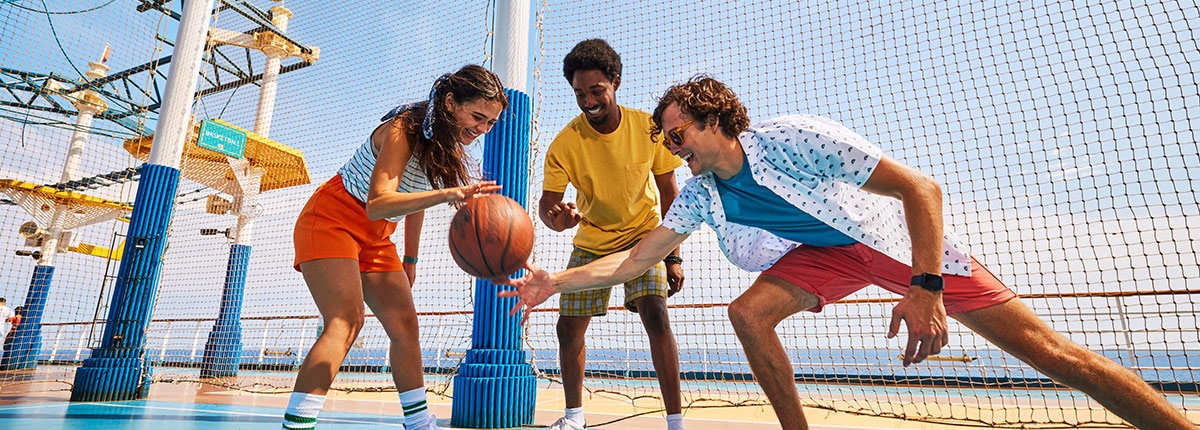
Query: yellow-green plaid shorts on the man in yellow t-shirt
{"points": [[596, 302]]}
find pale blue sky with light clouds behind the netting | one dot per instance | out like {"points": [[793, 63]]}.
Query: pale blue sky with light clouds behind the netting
{"points": [[1063, 133]]}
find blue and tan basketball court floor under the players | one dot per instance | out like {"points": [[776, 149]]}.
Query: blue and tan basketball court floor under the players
{"points": [[194, 405]]}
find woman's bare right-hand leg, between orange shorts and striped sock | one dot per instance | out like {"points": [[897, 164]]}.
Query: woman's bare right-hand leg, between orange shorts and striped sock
{"points": [[392, 301]]}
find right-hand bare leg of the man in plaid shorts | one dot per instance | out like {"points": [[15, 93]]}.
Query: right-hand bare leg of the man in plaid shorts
{"points": [[664, 351]]}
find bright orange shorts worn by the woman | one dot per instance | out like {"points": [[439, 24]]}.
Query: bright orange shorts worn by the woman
{"points": [[335, 225]]}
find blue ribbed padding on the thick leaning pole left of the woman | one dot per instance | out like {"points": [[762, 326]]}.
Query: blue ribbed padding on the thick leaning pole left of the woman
{"points": [[118, 369]]}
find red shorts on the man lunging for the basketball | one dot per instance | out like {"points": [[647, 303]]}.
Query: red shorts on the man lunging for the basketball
{"points": [[832, 273]]}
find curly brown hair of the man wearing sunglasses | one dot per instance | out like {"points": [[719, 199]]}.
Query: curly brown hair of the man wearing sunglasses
{"points": [[706, 100]]}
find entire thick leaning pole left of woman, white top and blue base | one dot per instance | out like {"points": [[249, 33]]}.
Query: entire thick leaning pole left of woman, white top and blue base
{"points": [[118, 369]]}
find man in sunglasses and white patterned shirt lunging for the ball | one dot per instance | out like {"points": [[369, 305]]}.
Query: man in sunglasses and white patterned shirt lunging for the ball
{"points": [[824, 213]]}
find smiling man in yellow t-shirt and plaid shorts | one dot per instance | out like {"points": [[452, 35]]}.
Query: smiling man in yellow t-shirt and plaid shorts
{"points": [[608, 156]]}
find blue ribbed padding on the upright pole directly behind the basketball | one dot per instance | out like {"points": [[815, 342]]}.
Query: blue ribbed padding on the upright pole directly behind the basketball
{"points": [[496, 387]]}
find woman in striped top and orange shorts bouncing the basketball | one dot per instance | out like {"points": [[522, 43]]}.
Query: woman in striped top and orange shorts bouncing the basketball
{"points": [[412, 162]]}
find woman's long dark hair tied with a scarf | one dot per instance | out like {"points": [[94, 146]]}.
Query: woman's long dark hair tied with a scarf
{"points": [[442, 158]]}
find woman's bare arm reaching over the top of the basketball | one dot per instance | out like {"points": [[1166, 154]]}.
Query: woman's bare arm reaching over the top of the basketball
{"points": [[383, 200]]}
